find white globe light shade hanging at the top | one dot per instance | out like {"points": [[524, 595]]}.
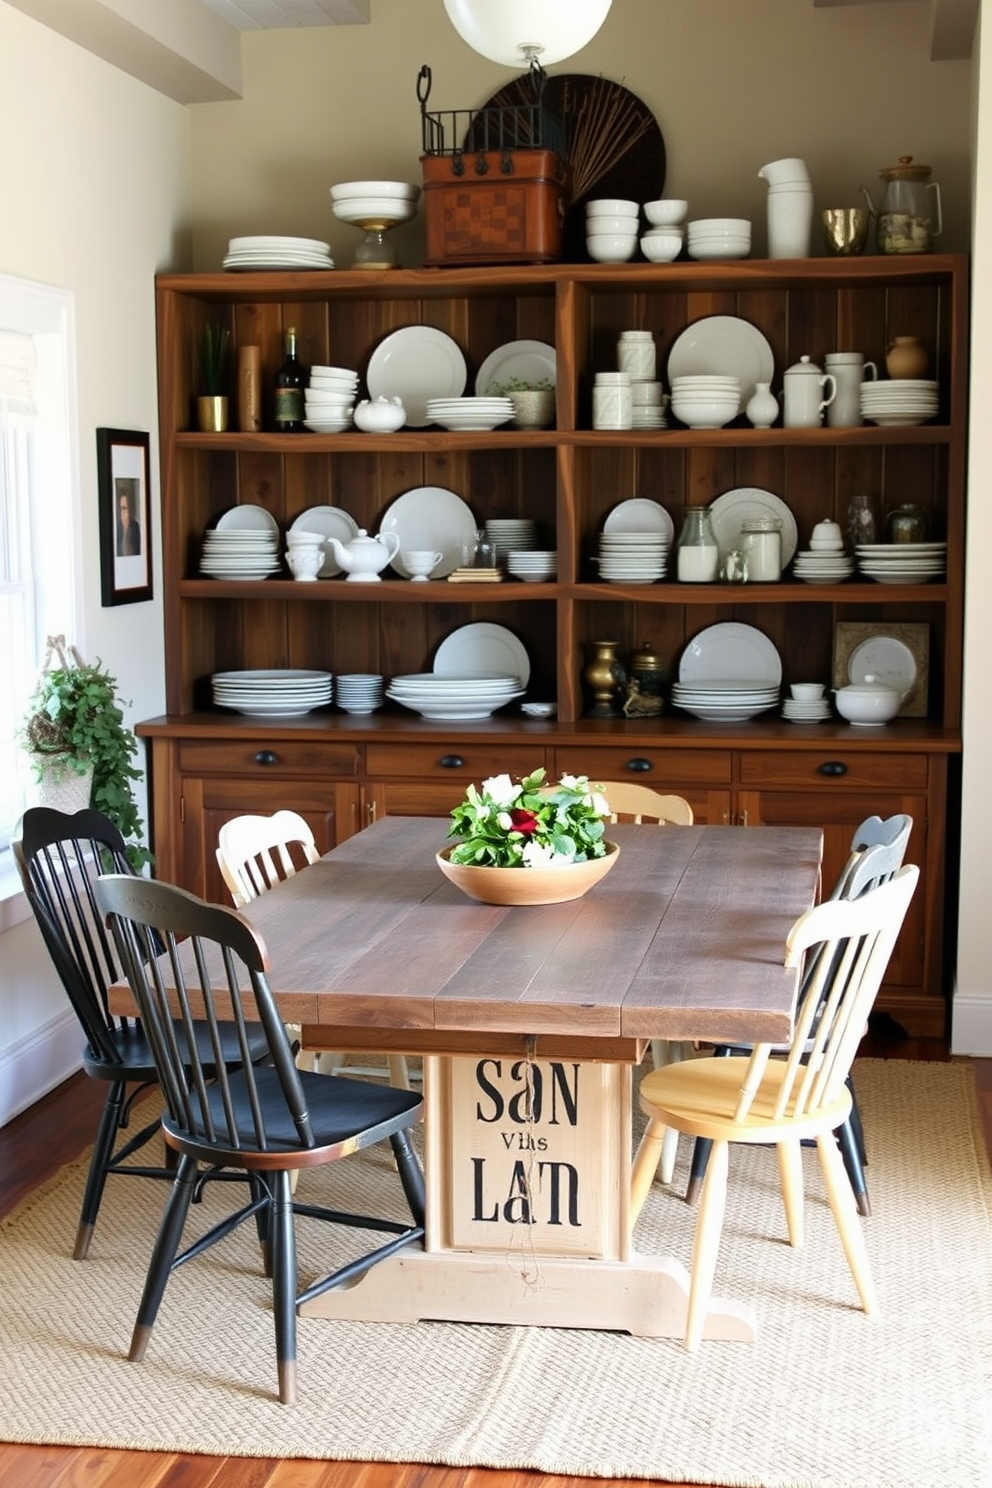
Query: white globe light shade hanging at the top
{"points": [[511, 32]]}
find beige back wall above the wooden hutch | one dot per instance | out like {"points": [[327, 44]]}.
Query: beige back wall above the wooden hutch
{"points": [[732, 84]]}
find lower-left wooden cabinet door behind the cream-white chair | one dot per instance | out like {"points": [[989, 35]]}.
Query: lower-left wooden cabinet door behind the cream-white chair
{"points": [[331, 809]]}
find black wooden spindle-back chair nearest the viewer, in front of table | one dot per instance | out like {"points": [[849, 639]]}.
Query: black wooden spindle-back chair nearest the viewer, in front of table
{"points": [[257, 1123]]}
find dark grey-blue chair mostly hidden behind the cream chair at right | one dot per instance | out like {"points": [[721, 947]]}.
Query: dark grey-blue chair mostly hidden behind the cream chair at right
{"points": [[877, 855]]}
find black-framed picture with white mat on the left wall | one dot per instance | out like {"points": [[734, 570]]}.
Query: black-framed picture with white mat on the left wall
{"points": [[126, 516]]}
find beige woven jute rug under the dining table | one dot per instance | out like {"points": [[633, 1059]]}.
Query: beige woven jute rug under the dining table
{"points": [[825, 1399]]}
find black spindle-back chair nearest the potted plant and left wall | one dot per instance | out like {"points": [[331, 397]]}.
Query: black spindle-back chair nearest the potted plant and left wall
{"points": [[60, 858]]}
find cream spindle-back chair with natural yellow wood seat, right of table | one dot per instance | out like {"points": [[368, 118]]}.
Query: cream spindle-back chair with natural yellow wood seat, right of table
{"points": [[759, 1099]]}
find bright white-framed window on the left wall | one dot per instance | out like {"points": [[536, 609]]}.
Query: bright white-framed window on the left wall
{"points": [[38, 508]]}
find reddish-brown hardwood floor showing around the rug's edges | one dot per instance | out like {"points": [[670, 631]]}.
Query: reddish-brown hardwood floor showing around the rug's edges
{"points": [[35, 1147]]}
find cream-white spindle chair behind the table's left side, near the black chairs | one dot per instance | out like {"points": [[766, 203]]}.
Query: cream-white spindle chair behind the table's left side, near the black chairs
{"points": [[255, 853]]}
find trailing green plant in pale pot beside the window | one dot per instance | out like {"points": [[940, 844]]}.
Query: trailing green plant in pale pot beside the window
{"points": [[78, 743]]}
